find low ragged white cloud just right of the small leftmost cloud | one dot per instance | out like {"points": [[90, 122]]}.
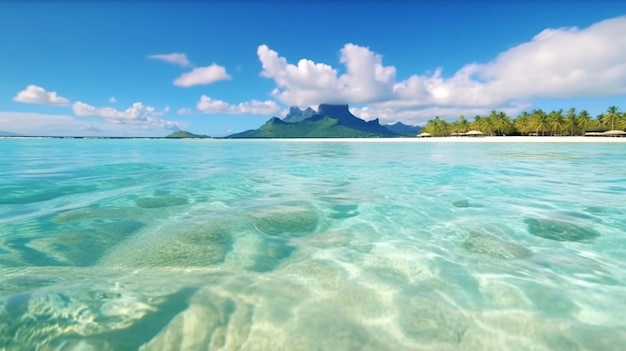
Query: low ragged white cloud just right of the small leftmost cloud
{"points": [[137, 114]]}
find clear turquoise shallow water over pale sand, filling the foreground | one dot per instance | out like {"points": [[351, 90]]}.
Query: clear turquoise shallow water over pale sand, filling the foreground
{"points": [[282, 245]]}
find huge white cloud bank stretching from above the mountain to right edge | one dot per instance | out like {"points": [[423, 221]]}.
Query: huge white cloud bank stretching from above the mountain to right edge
{"points": [[556, 63]]}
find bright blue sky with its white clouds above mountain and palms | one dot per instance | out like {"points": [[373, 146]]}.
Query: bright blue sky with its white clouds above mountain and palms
{"points": [[147, 68]]}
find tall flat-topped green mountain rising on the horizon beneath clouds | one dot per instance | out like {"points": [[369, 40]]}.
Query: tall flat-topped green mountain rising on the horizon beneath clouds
{"points": [[331, 121]]}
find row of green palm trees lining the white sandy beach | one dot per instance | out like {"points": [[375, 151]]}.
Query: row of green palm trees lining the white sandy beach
{"points": [[535, 122]]}
